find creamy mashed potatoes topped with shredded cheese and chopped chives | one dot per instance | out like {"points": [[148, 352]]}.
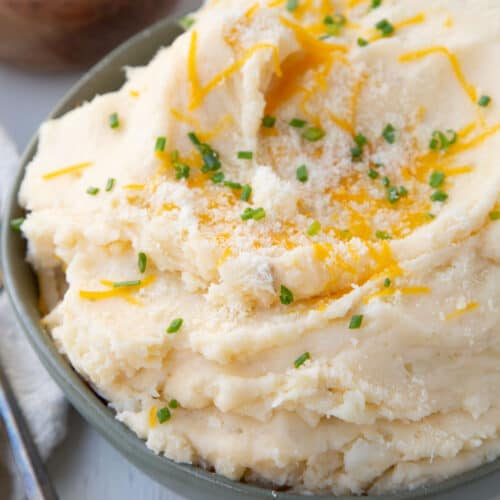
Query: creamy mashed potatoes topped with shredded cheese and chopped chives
{"points": [[314, 193]]}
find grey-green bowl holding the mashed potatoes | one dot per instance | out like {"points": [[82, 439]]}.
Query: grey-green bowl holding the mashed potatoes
{"points": [[20, 282]]}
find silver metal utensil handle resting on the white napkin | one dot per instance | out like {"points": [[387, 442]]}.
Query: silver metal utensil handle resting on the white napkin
{"points": [[35, 479]]}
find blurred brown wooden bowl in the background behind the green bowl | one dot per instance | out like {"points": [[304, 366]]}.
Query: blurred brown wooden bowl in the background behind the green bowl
{"points": [[68, 34]]}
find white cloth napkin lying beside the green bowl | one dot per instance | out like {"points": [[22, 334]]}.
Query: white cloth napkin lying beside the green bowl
{"points": [[41, 401]]}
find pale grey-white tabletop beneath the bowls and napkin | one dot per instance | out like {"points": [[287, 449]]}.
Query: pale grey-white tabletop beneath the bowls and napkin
{"points": [[85, 467]]}
